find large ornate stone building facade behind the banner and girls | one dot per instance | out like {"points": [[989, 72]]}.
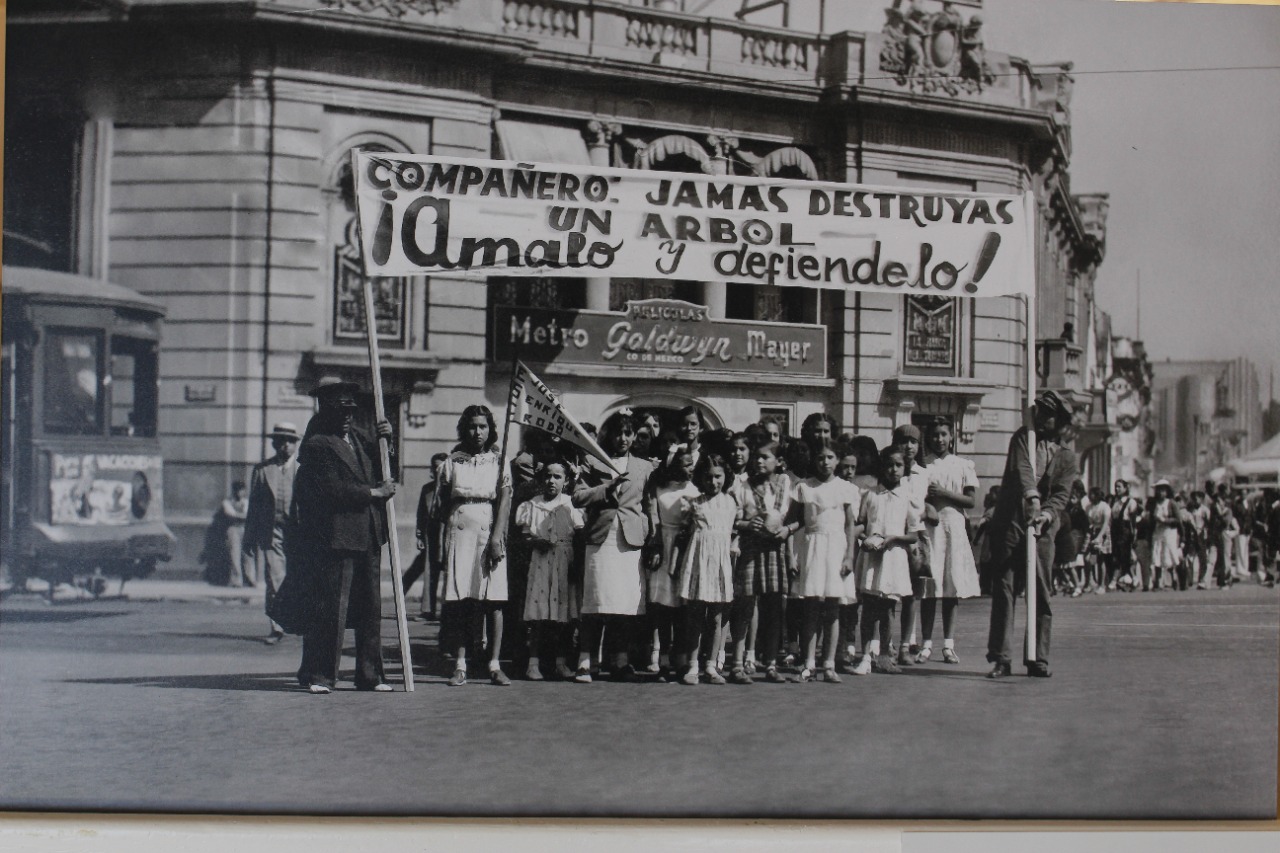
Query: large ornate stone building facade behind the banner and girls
{"points": [[199, 153]]}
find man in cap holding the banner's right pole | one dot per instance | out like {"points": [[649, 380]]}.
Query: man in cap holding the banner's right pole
{"points": [[1030, 499]]}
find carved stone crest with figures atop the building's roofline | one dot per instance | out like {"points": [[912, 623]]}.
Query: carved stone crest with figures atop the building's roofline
{"points": [[935, 52]]}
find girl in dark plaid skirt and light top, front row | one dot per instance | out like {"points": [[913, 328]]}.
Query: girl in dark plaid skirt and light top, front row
{"points": [[761, 573]]}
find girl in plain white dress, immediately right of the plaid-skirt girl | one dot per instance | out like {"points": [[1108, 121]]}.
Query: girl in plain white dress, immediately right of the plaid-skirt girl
{"points": [[826, 508]]}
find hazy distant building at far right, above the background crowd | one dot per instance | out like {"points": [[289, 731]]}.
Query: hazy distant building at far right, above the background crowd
{"points": [[1205, 414]]}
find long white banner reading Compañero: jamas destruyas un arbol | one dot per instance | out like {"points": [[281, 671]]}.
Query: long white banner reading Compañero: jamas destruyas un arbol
{"points": [[432, 216]]}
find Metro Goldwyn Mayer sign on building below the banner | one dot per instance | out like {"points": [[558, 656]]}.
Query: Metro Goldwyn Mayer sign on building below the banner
{"points": [[660, 334]]}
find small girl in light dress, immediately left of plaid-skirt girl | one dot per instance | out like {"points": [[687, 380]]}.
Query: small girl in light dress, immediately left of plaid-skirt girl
{"points": [[707, 567]]}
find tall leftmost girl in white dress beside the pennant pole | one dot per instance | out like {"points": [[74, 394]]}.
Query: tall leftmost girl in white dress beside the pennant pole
{"points": [[477, 508]]}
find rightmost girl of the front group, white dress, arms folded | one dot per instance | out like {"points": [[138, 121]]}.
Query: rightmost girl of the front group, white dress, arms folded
{"points": [[953, 490]]}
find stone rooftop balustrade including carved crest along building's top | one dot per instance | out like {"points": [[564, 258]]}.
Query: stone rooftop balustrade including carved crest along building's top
{"points": [[950, 62]]}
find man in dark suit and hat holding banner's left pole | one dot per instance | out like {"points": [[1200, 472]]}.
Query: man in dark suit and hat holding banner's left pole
{"points": [[341, 526]]}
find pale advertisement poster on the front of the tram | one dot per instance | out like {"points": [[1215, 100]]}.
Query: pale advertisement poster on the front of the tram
{"points": [[104, 489]]}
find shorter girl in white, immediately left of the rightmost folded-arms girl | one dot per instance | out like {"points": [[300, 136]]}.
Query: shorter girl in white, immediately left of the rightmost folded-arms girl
{"points": [[889, 526]]}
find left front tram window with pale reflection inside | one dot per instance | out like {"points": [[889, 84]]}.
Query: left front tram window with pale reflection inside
{"points": [[74, 371]]}
